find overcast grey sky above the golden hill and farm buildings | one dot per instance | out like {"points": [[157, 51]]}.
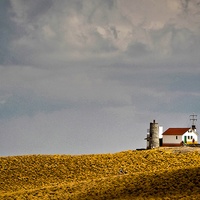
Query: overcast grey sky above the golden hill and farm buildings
{"points": [[88, 76]]}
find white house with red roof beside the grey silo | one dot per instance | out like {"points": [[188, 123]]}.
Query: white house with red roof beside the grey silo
{"points": [[176, 136]]}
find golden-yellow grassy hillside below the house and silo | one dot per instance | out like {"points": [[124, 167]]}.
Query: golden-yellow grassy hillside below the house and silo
{"points": [[170, 173]]}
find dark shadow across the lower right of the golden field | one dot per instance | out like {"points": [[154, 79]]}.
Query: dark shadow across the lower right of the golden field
{"points": [[176, 184]]}
